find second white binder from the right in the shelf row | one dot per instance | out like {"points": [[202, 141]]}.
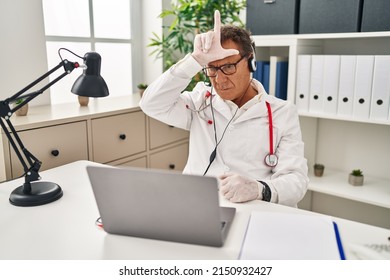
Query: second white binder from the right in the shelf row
{"points": [[363, 83]]}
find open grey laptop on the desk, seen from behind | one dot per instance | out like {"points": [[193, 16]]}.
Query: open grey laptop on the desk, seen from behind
{"points": [[160, 204]]}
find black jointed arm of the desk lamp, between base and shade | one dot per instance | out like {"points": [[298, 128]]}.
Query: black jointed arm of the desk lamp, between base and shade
{"points": [[30, 163]]}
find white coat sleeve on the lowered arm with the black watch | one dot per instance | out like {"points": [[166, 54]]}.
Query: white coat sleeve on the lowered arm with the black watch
{"points": [[290, 178]]}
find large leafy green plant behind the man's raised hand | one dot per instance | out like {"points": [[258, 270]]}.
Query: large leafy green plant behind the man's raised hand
{"points": [[188, 19]]}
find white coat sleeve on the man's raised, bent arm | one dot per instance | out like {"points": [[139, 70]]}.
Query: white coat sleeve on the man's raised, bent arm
{"points": [[164, 100]]}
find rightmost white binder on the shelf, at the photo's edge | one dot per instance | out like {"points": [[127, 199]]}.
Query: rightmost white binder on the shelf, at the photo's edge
{"points": [[380, 88]]}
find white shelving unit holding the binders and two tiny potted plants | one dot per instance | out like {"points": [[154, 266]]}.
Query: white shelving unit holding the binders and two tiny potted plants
{"points": [[340, 143]]}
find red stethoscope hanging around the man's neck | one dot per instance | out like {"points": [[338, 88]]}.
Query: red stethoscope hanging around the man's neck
{"points": [[271, 159]]}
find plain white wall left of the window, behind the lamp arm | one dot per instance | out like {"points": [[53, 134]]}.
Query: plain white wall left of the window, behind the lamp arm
{"points": [[22, 49]]}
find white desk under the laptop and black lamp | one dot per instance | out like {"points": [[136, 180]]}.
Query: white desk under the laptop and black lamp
{"points": [[65, 229]]}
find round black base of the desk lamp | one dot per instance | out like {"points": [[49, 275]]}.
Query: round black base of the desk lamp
{"points": [[41, 193]]}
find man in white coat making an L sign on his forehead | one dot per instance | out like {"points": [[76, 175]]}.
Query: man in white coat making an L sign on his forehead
{"points": [[251, 141]]}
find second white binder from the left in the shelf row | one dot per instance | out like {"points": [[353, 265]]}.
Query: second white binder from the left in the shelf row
{"points": [[316, 81]]}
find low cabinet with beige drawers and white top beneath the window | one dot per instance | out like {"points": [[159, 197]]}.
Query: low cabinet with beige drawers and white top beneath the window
{"points": [[113, 131]]}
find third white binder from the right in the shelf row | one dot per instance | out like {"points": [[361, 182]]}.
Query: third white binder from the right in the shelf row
{"points": [[346, 85]]}
